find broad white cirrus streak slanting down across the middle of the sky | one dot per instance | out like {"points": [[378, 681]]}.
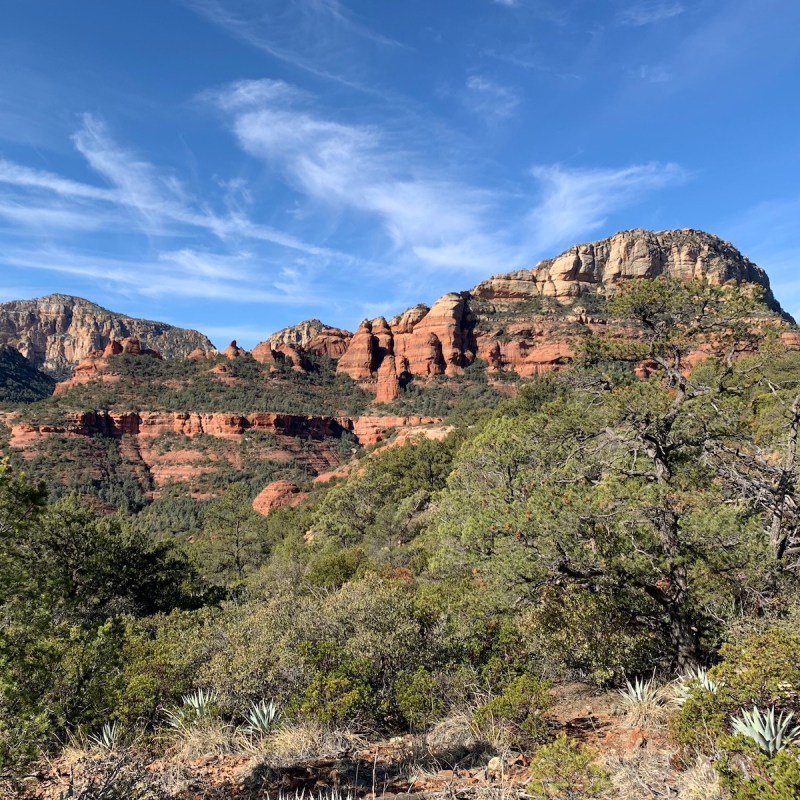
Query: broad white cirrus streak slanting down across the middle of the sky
{"points": [[353, 166]]}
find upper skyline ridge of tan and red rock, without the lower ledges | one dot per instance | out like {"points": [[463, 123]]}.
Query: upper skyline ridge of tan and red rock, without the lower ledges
{"points": [[522, 321]]}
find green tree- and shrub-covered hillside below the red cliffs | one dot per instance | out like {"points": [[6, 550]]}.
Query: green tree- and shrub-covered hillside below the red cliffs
{"points": [[628, 523]]}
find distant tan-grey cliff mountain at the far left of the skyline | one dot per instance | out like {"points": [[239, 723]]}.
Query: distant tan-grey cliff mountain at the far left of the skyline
{"points": [[55, 332]]}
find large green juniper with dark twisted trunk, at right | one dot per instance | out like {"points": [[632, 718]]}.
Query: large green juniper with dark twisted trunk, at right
{"points": [[605, 488]]}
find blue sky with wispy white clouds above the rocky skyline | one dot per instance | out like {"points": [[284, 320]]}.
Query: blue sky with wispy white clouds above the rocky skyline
{"points": [[239, 165]]}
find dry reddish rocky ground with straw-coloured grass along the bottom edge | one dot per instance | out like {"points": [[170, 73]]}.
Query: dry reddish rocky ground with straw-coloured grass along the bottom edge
{"points": [[446, 762]]}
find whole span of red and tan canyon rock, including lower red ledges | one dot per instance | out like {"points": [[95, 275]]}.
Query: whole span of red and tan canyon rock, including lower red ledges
{"points": [[509, 328]]}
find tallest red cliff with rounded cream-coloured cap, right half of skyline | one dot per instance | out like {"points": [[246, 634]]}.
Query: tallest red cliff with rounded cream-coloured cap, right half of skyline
{"points": [[525, 320]]}
